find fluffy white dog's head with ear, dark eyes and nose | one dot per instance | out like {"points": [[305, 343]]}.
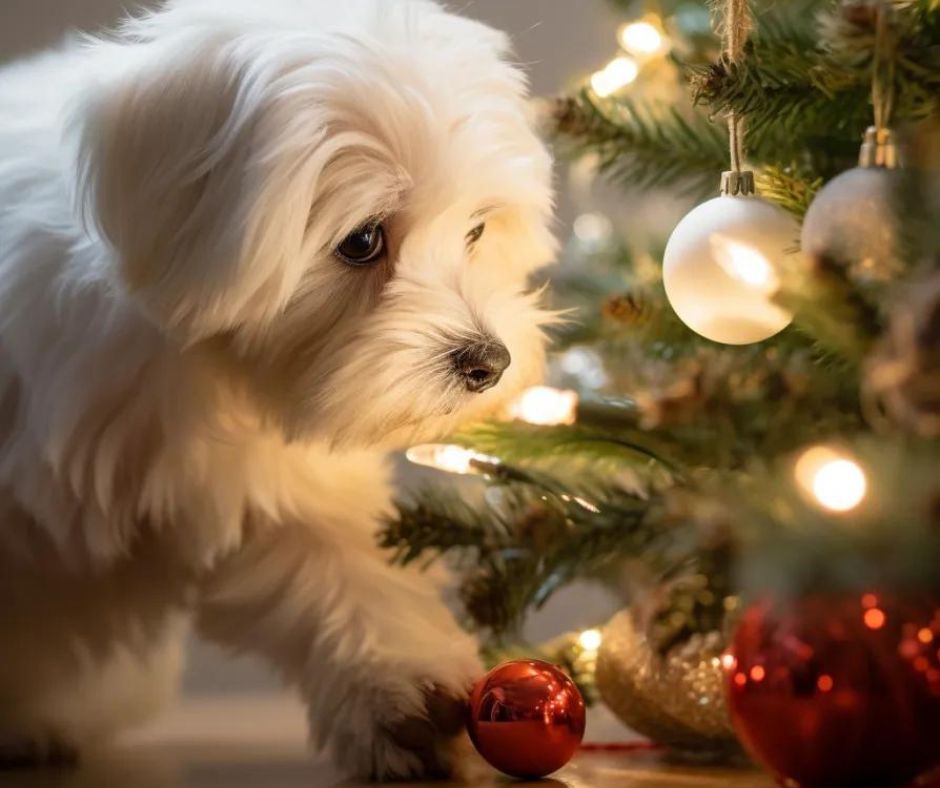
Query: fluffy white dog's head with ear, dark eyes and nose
{"points": [[346, 199]]}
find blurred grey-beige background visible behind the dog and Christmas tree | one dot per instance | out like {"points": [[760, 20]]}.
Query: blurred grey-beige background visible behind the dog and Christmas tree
{"points": [[559, 42]]}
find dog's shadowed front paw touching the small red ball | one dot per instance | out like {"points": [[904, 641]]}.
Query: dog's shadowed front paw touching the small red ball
{"points": [[427, 742]]}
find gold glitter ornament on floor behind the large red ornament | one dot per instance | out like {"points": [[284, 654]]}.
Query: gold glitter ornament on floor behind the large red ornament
{"points": [[676, 699]]}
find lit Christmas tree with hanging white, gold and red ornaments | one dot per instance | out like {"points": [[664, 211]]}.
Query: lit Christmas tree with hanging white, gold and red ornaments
{"points": [[778, 467]]}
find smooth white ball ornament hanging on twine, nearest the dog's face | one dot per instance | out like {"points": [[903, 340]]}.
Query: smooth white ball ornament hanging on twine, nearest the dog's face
{"points": [[722, 264]]}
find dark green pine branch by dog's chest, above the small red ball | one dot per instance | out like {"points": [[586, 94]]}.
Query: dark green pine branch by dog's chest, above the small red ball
{"points": [[517, 552]]}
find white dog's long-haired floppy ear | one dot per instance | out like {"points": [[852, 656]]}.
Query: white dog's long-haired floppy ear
{"points": [[184, 172]]}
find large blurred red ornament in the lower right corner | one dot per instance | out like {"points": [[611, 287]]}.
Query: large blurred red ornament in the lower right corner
{"points": [[839, 690]]}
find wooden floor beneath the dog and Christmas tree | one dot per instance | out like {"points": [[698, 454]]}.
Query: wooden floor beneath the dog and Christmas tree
{"points": [[260, 743]]}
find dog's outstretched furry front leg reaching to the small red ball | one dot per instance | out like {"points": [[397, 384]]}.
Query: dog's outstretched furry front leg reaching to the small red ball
{"points": [[379, 659]]}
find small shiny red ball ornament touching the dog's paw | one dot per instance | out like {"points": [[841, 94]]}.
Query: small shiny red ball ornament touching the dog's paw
{"points": [[526, 718]]}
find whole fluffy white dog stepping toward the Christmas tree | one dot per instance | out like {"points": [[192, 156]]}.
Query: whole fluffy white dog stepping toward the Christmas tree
{"points": [[245, 247]]}
